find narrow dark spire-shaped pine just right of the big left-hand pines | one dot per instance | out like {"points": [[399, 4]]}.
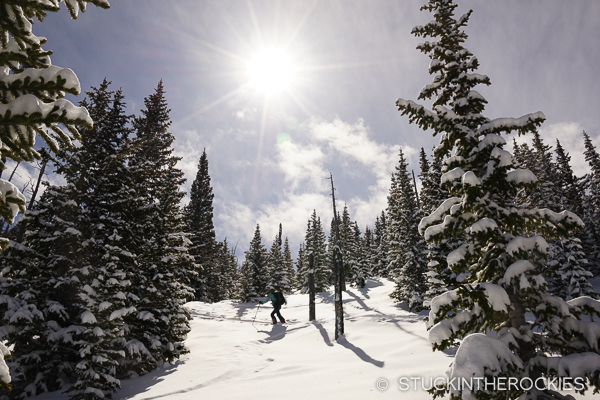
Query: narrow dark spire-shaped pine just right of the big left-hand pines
{"points": [[198, 216]]}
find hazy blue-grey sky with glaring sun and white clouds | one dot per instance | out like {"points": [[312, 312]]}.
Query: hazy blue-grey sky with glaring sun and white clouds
{"points": [[280, 93]]}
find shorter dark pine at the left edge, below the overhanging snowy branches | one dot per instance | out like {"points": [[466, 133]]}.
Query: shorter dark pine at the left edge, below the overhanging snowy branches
{"points": [[37, 283]]}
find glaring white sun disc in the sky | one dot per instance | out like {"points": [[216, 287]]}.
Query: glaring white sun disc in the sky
{"points": [[271, 71]]}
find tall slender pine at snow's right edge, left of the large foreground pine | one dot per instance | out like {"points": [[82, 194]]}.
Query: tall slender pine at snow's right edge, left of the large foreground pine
{"points": [[407, 249]]}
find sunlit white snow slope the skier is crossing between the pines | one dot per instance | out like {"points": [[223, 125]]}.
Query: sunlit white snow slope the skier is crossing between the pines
{"points": [[232, 358]]}
